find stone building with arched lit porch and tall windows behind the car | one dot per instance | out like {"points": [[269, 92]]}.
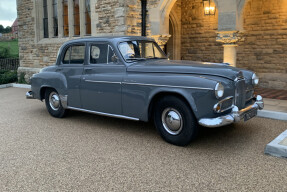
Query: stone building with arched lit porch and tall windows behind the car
{"points": [[249, 34]]}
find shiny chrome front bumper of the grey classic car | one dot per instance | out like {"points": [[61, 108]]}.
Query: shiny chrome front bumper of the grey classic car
{"points": [[235, 116]]}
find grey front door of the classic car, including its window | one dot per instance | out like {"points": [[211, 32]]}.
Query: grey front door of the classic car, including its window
{"points": [[101, 84]]}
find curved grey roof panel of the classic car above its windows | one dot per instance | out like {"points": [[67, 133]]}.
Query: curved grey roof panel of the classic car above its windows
{"points": [[110, 39]]}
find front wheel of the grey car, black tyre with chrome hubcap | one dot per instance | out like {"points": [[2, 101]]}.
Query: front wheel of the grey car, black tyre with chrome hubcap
{"points": [[175, 121]]}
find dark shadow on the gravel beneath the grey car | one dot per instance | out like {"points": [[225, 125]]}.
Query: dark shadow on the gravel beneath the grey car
{"points": [[208, 137]]}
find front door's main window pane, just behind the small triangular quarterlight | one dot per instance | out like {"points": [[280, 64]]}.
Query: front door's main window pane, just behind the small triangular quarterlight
{"points": [[99, 54]]}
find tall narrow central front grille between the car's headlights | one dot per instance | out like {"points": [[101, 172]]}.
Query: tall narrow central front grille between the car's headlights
{"points": [[240, 94]]}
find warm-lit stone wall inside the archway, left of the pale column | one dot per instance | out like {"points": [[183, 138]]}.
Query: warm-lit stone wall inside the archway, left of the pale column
{"points": [[199, 33]]}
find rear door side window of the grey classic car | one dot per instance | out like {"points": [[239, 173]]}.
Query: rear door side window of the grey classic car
{"points": [[75, 54]]}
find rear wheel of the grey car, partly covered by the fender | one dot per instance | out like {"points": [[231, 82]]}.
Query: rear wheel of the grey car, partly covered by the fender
{"points": [[53, 103]]}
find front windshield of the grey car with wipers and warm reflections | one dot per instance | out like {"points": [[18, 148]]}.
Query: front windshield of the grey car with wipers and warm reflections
{"points": [[140, 50]]}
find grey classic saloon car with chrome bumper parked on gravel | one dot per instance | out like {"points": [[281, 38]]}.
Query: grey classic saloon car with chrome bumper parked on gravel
{"points": [[131, 78]]}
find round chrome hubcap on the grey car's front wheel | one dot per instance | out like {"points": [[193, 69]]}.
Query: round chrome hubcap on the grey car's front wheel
{"points": [[171, 121]]}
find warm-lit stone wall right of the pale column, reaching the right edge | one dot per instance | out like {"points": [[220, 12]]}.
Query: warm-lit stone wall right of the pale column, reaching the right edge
{"points": [[264, 48]]}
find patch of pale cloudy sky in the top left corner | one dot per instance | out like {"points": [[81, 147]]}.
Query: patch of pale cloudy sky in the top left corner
{"points": [[8, 12]]}
